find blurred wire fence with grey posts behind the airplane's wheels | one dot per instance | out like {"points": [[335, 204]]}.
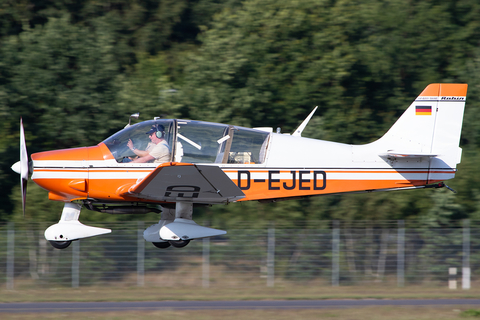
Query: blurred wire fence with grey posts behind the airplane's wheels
{"points": [[321, 252]]}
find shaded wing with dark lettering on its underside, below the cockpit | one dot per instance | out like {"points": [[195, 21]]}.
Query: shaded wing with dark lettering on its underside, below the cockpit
{"points": [[187, 182]]}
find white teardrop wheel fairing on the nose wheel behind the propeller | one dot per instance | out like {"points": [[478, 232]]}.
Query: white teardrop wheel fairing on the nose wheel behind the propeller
{"points": [[72, 230]]}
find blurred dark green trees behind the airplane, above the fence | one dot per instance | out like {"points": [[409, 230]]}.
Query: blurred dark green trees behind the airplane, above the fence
{"points": [[76, 69]]}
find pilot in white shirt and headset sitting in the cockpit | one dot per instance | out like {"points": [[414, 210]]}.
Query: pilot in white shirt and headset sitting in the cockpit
{"points": [[157, 150]]}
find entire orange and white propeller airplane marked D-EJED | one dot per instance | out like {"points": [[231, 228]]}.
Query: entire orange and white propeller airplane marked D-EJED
{"points": [[211, 163]]}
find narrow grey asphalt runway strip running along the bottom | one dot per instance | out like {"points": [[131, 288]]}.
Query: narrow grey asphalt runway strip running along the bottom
{"points": [[49, 307]]}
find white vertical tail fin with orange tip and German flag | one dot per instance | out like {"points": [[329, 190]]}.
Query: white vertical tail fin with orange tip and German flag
{"points": [[431, 126]]}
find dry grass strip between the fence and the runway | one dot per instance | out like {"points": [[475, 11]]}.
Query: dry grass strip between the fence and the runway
{"points": [[185, 292]]}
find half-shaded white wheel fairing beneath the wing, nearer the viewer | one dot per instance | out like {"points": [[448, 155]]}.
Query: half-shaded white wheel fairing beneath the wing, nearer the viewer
{"points": [[185, 229]]}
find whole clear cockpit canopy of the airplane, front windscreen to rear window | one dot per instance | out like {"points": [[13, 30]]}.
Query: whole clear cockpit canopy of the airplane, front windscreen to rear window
{"points": [[195, 142]]}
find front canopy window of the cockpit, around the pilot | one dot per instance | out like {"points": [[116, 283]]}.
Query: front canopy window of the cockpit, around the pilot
{"points": [[138, 134]]}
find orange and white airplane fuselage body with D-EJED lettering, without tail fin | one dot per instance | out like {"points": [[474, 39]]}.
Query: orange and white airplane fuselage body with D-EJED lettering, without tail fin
{"points": [[264, 165]]}
